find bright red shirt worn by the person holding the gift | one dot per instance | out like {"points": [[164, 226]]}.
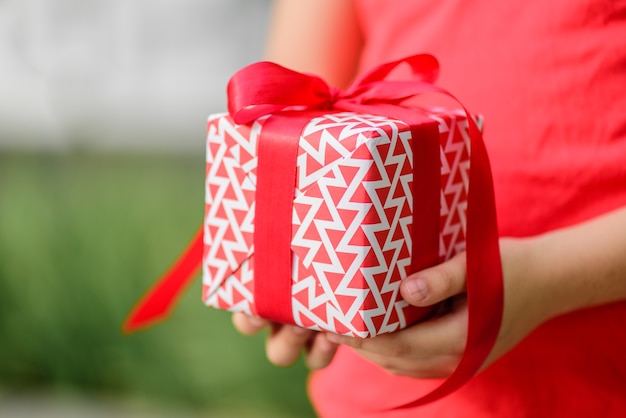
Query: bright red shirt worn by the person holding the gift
{"points": [[549, 77]]}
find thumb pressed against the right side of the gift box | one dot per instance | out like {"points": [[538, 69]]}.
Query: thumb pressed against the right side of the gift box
{"points": [[435, 284]]}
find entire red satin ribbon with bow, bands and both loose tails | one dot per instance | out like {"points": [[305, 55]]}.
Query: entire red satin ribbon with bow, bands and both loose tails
{"points": [[266, 88]]}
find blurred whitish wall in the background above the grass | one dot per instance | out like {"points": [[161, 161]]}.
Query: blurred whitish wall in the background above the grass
{"points": [[132, 74]]}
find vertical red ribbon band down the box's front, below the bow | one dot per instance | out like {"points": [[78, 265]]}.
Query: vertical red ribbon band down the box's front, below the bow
{"points": [[276, 181]]}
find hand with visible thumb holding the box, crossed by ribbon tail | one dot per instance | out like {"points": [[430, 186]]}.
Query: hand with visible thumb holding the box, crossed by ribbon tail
{"points": [[433, 349]]}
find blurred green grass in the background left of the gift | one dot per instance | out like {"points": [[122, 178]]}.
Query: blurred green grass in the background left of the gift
{"points": [[82, 236]]}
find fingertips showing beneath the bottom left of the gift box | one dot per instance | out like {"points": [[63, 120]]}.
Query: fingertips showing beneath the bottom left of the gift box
{"points": [[286, 342]]}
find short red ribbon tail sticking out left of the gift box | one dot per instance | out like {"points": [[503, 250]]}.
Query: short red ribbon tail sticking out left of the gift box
{"points": [[159, 301]]}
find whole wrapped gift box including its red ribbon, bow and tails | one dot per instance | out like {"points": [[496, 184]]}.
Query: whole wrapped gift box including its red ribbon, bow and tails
{"points": [[320, 201]]}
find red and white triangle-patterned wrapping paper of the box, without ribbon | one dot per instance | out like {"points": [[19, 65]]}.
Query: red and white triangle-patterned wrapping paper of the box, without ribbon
{"points": [[351, 217]]}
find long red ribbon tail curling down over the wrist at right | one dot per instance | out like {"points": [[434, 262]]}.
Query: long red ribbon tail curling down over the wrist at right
{"points": [[485, 292]]}
